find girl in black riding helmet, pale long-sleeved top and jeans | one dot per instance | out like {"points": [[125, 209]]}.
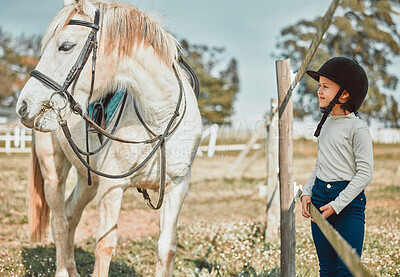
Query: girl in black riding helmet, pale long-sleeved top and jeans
{"points": [[345, 161]]}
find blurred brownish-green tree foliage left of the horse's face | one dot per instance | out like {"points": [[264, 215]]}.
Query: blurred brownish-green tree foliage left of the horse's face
{"points": [[18, 56]]}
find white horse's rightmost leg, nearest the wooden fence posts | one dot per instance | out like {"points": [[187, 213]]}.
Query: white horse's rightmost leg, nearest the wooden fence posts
{"points": [[168, 222]]}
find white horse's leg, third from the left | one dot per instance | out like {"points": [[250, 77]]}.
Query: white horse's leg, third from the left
{"points": [[109, 206]]}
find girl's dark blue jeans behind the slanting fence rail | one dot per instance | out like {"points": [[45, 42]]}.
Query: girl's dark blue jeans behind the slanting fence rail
{"points": [[350, 224]]}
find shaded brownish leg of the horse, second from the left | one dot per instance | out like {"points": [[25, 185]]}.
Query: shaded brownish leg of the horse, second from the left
{"points": [[76, 202]]}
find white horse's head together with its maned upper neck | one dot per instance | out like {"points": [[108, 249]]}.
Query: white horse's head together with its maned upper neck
{"points": [[132, 50]]}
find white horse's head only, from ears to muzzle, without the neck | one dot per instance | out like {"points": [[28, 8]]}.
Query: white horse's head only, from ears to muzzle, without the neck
{"points": [[61, 48]]}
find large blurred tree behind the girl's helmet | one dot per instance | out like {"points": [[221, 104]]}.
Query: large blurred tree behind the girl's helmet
{"points": [[362, 30]]}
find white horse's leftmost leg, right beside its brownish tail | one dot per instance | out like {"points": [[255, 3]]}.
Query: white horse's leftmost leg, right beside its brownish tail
{"points": [[54, 169]]}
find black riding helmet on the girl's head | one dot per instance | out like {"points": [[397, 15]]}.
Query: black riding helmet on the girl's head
{"points": [[348, 74]]}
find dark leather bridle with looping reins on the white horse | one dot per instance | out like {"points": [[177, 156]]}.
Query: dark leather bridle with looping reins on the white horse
{"points": [[91, 45]]}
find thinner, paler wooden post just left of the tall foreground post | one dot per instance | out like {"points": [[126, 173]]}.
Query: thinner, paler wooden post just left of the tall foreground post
{"points": [[273, 210]]}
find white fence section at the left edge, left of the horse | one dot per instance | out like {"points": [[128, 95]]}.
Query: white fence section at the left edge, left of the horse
{"points": [[13, 138]]}
